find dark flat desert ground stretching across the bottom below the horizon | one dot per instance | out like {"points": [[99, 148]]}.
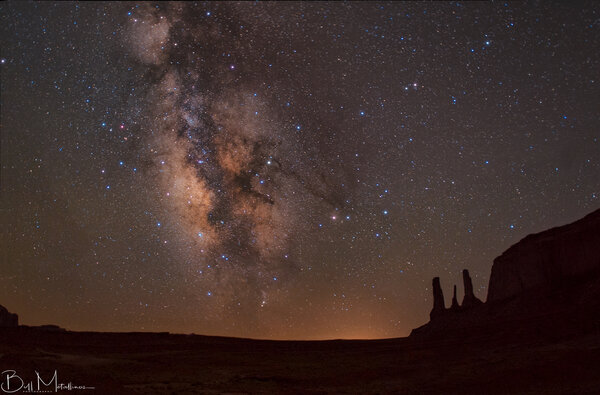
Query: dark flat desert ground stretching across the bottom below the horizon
{"points": [[485, 363]]}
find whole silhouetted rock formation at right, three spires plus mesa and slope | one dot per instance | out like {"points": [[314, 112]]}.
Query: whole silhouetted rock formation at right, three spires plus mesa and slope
{"points": [[548, 282]]}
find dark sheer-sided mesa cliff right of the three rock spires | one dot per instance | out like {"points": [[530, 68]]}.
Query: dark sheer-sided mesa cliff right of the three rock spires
{"points": [[547, 259]]}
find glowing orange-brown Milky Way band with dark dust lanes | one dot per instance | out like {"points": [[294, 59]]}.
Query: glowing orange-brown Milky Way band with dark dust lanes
{"points": [[233, 173]]}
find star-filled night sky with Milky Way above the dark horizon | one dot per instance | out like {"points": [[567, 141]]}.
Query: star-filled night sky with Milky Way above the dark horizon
{"points": [[284, 170]]}
